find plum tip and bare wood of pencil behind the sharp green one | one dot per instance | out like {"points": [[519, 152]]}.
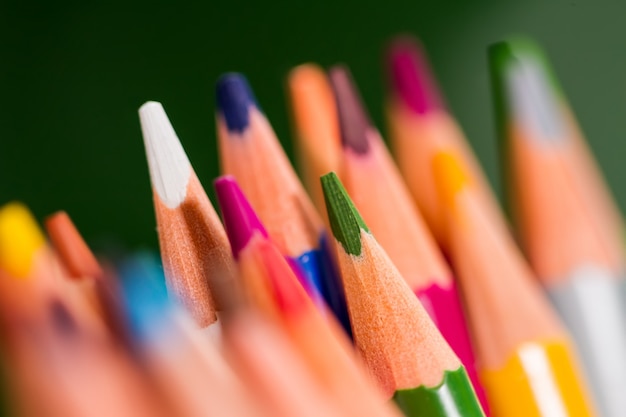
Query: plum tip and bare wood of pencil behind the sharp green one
{"points": [[374, 184]]}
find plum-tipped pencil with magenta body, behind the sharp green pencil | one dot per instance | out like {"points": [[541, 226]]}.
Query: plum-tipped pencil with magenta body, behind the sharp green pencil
{"points": [[374, 184]]}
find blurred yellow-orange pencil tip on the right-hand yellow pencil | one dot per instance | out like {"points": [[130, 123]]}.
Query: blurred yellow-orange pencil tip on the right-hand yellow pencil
{"points": [[450, 177]]}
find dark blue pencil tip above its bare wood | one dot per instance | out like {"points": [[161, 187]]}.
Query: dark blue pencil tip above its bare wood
{"points": [[234, 98]]}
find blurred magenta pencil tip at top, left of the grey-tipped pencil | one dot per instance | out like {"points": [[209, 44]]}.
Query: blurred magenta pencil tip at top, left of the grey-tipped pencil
{"points": [[411, 79]]}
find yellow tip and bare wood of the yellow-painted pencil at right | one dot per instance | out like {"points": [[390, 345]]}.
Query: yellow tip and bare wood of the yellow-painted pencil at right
{"points": [[504, 314]]}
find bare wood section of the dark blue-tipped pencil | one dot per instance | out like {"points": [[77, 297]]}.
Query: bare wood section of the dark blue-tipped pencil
{"points": [[255, 158]]}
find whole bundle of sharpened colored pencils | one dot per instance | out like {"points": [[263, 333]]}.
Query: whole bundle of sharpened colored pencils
{"points": [[384, 291]]}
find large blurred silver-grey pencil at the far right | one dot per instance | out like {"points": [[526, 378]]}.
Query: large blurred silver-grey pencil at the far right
{"points": [[559, 220]]}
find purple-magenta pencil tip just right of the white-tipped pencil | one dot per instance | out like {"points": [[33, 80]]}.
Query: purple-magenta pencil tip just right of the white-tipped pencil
{"points": [[240, 220]]}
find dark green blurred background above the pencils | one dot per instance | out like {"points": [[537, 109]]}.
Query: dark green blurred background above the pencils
{"points": [[72, 76]]}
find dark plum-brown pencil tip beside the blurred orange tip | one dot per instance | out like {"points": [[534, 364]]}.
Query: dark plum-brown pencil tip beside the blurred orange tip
{"points": [[353, 119]]}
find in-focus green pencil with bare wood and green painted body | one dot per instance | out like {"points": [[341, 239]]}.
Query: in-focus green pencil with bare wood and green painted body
{"points": [[398, 341]]}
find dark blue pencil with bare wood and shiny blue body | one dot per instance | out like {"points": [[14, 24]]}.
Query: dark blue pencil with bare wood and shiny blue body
{"points": [[250, 152]]}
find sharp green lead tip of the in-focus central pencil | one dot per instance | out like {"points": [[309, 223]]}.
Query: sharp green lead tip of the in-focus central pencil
{"points": [[345, 221]]}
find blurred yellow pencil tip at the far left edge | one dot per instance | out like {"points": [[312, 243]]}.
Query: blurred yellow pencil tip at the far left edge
{"points": [[20, 238]]}
